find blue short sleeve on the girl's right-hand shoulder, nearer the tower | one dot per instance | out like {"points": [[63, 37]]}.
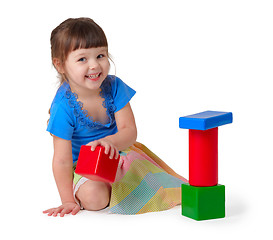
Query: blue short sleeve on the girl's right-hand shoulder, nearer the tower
{"points": [[122, 93]]}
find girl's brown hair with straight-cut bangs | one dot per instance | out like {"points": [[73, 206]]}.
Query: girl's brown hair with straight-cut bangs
{"points": [[73, 34]]}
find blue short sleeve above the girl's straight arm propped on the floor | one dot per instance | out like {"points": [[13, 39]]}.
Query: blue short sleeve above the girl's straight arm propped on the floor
{"points": [[60, 122]]}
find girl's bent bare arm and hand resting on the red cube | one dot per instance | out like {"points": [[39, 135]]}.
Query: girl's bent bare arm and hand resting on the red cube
{"points": [[126, 135]]}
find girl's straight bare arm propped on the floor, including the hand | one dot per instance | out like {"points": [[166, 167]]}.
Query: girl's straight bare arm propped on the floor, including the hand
{"points": [[63, 173]]}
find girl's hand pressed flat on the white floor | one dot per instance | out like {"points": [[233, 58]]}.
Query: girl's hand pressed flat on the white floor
{"points": [[66, 208]]}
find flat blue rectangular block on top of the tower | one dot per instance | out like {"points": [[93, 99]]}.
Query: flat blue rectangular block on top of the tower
{"points": [[205, 120]]}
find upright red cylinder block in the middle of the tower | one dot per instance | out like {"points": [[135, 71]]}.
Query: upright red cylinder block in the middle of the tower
{"points": [[203, 157]]}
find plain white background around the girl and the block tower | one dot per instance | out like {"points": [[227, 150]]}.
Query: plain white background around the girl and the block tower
{"points": [[182, 57]]}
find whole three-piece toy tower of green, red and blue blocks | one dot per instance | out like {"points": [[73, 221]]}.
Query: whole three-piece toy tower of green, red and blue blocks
{"points": [[203, 198]]}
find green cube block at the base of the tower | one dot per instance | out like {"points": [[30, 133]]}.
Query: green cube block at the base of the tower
{"points": [[203, 203]]}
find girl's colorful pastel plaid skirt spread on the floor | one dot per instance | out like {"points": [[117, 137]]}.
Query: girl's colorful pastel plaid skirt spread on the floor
{"points": [[144, 183]]}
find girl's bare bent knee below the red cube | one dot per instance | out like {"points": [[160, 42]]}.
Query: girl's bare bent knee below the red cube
{"points": [[94, 195]]}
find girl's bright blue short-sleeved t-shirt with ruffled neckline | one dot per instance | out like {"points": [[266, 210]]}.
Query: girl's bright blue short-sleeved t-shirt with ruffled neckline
{"points": [[69, 121]]}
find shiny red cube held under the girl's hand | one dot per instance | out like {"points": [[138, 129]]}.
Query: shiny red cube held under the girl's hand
{"points": [[96, 165]]}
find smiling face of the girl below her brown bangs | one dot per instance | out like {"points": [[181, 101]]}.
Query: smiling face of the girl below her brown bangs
{"points": [[87, 68]]}
